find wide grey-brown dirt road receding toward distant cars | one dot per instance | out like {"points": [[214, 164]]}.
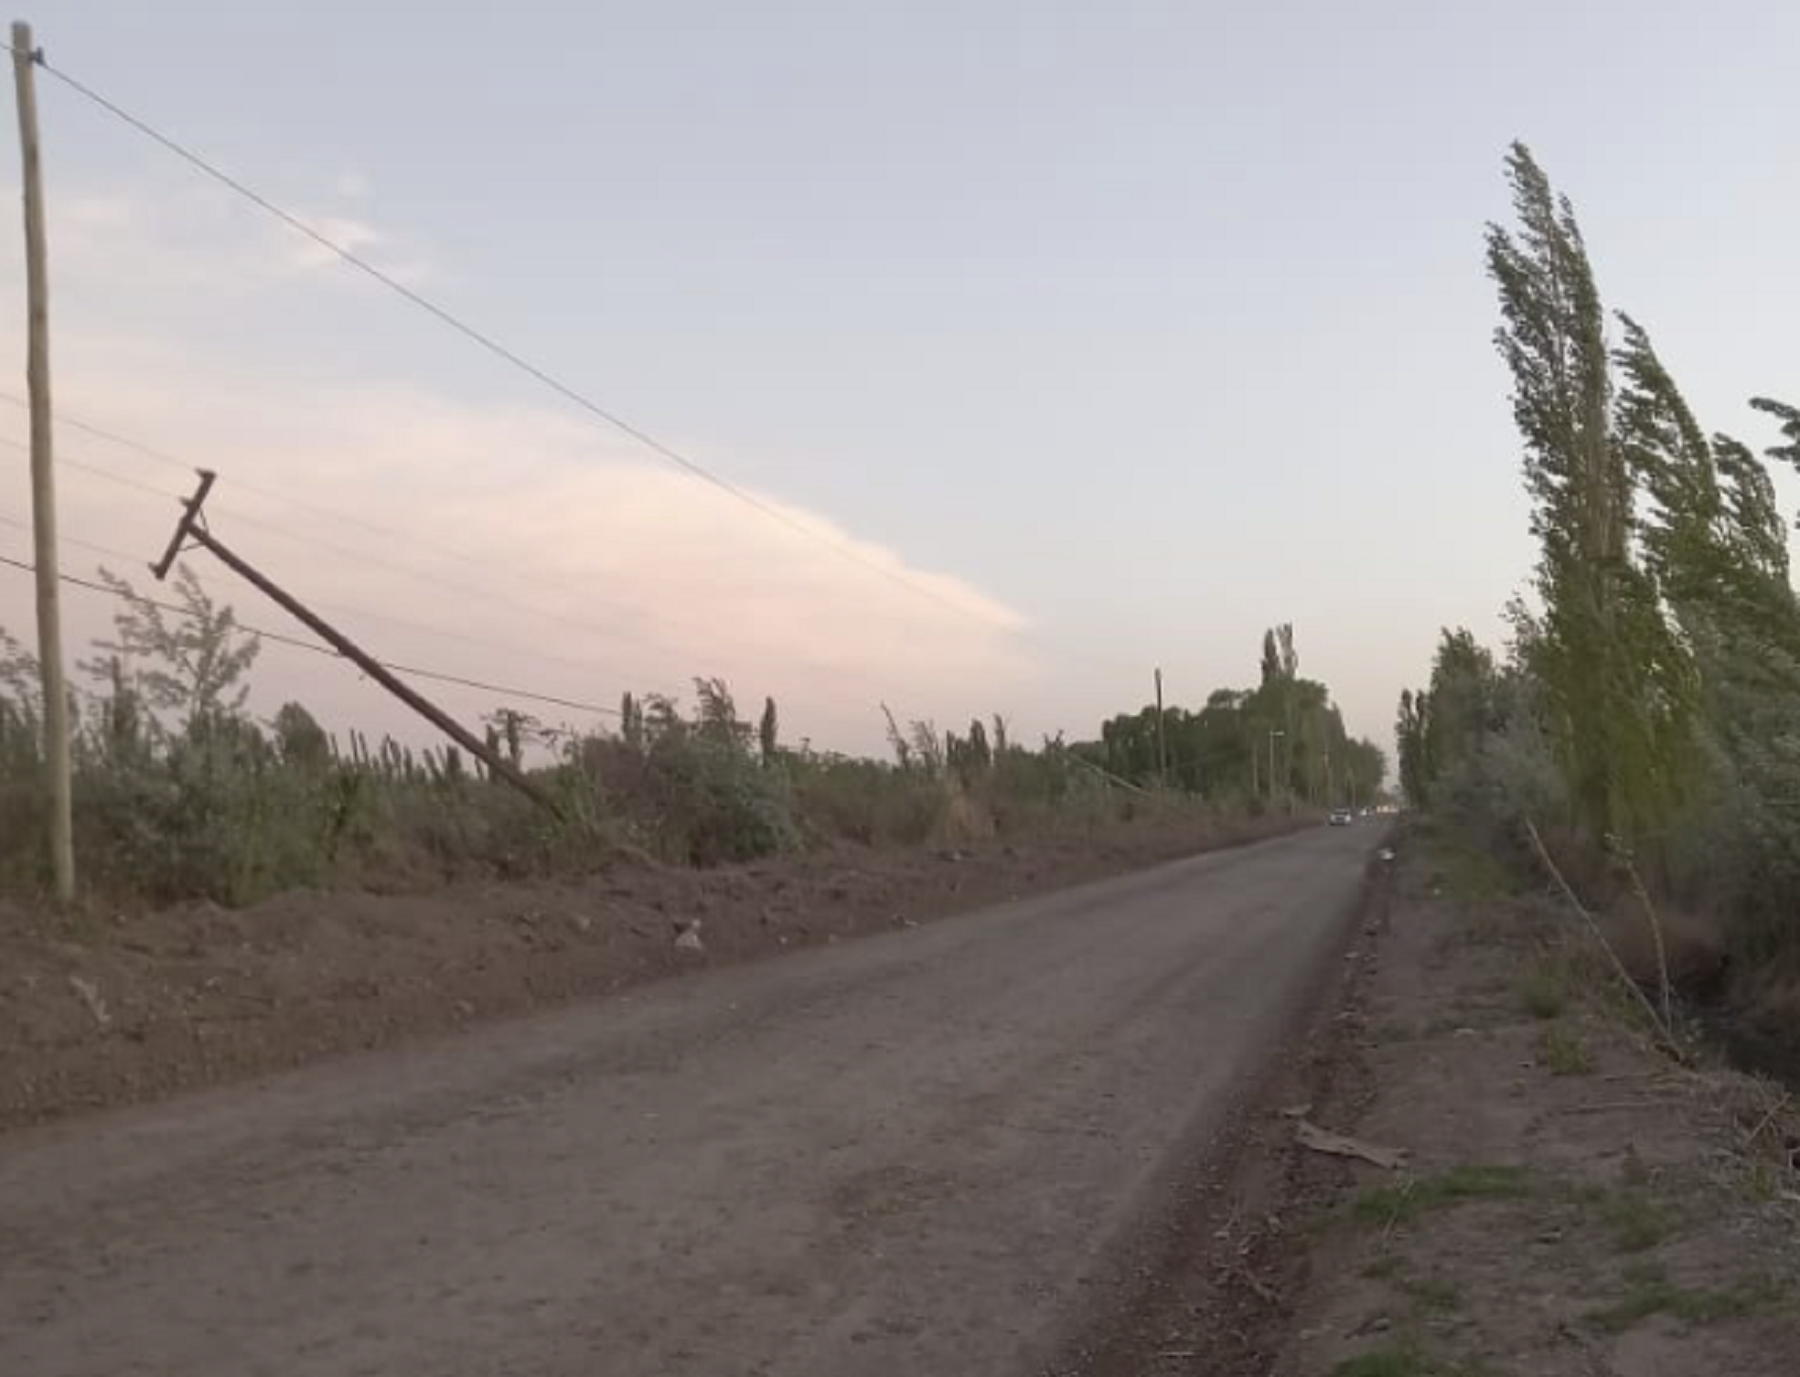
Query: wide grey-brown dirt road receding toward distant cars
{"points": [[910, 1155]]}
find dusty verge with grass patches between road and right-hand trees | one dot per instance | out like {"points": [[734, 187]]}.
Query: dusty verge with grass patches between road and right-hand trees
{"points": [[1574, 1203]]}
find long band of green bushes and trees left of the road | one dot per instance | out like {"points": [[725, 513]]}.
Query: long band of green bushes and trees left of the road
{"points": [[183, 793]]}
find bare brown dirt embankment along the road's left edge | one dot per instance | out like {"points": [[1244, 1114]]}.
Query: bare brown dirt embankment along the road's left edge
{"points": [[114, 1011]]}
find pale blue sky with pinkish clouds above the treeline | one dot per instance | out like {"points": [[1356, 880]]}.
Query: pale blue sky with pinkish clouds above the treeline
{"points": [[1128, 328]]}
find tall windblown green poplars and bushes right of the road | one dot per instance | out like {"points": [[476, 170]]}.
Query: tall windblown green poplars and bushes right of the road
{"points": [[1641, 733]]}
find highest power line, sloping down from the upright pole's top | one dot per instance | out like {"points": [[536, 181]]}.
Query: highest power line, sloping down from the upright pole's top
{"points": [[494, 346]]}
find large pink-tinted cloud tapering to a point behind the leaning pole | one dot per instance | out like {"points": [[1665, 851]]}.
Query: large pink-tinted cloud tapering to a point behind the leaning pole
{"points": [[528, 550]]}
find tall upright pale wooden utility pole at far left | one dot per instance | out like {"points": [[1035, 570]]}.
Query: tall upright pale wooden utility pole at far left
{"points": [[42, 472]]}
